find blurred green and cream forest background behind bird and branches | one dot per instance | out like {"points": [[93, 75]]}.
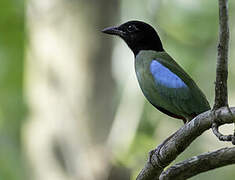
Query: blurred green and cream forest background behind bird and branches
{"points": [[70, 105]]}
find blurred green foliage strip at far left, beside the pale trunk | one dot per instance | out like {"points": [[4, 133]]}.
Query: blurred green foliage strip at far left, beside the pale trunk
{"points": [[11, 91]]}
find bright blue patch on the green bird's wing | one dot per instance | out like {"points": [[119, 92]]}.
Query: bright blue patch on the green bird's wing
{"points": [[163, 76]]}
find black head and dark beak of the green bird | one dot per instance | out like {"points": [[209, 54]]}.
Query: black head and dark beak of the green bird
{"points": [[138, 36]]}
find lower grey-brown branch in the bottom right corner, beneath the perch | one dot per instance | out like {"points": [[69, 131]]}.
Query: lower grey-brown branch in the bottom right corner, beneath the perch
{"points": [[199, 164]]}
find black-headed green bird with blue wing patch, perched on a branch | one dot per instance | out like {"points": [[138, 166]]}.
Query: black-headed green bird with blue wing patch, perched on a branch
{"points": [[162, 80]]}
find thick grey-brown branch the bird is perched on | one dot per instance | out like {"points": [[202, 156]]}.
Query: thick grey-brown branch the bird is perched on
{"points": [[181, 140]]}
